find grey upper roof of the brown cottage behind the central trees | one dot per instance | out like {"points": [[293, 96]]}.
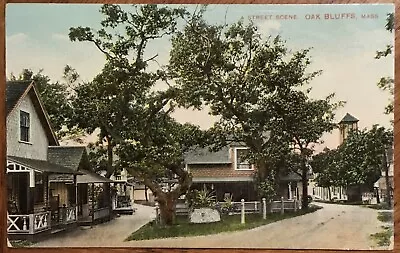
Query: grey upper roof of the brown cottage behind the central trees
{"points": [[204, 156]]}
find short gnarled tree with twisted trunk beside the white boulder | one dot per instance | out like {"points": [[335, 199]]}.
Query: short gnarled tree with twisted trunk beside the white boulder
{"points": [[155, 155]]}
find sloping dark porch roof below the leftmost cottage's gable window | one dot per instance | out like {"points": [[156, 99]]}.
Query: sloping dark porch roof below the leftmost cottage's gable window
{"points": [[42, 165]]}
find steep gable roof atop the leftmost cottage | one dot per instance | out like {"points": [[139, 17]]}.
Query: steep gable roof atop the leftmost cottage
{"points": [[16, 91]]}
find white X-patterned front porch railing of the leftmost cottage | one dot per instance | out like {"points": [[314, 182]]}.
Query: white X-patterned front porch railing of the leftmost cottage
{"points": [[28, 223]]}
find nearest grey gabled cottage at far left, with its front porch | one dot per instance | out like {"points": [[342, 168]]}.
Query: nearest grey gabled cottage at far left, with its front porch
{"points": [[29, 135]]}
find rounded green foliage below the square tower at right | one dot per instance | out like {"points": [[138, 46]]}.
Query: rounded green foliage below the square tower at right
{"points": [[358, 161]]}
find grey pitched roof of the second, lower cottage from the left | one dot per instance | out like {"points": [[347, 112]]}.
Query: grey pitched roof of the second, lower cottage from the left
{"points": [[71, 157]]}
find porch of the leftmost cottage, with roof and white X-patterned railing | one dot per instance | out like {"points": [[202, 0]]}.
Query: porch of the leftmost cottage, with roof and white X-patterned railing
{"points": [[30, 207]]}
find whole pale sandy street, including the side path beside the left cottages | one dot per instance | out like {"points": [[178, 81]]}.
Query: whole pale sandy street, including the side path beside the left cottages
{"points": [[333, 227]]}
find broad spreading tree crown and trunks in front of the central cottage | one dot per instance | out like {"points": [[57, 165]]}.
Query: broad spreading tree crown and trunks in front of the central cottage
{"points": [[256, 86]]}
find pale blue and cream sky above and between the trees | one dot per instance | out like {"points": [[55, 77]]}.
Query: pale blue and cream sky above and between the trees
{"points": [[343, 41]]}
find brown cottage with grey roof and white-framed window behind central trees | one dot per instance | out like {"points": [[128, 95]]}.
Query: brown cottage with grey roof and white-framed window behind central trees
{"points": [[227, 173]]}
